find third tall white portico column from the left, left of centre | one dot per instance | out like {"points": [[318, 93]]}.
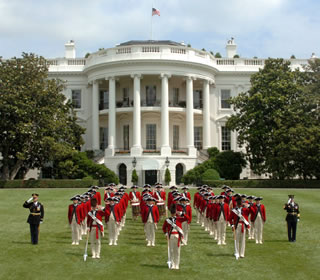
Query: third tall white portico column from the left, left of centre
{"points": [[136, 149]]}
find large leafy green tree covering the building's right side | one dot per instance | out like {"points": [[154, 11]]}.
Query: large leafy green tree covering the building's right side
{"points": [[277, 120]]}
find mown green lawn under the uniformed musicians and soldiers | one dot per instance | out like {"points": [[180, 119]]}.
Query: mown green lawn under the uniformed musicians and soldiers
{"points": [[55, 258]]}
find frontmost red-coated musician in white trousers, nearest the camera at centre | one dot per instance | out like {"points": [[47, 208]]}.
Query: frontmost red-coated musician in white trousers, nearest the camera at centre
{"points": [[172, 228]]}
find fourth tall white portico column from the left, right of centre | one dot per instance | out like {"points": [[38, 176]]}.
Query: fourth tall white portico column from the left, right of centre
{"points": [[165, 147]]}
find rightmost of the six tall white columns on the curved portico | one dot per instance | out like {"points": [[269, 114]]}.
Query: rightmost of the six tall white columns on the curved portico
{"points": [[206, 115]]}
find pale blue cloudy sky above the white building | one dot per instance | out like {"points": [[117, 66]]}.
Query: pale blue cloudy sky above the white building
{"points": [[262, 28]]}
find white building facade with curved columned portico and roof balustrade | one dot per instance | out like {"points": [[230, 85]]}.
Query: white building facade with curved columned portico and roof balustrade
{"points": [[152, 105]]}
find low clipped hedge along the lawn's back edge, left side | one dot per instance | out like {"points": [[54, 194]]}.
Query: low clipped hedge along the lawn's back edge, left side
{"points": [[47, 183]]}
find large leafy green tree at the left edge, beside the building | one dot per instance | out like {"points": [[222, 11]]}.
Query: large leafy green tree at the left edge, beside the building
{"points": [[36, 121]]}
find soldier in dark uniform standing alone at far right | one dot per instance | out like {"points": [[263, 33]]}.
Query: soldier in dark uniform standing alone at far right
{"points": [[293, 216]]}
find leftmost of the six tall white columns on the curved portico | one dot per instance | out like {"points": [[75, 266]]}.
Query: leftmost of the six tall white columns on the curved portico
{"points": [[95, 116]]}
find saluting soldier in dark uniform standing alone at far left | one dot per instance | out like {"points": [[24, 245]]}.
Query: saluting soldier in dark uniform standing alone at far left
{"points": [[35, 217]]}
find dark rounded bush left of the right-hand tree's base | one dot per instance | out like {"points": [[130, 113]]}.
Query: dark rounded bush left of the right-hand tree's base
{"points": [[229, 164]]}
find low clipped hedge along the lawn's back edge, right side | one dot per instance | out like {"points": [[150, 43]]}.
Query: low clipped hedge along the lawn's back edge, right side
{"points": [[288, 184]]}
